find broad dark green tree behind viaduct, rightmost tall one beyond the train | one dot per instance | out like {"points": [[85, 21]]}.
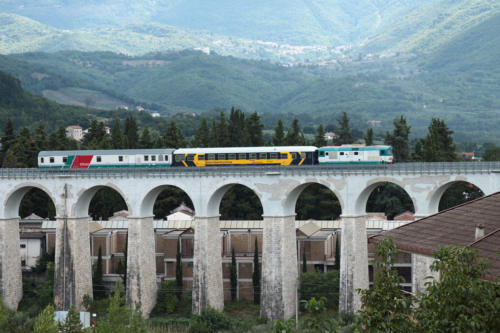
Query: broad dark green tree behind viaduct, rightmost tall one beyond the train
{"points": [[438, 145]]}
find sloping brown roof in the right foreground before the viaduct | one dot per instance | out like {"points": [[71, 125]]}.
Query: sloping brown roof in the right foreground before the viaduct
{"points": [[454, 226]]}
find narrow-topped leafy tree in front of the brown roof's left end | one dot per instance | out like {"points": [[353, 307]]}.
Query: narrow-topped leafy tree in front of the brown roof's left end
{"points": [[385, 308]]}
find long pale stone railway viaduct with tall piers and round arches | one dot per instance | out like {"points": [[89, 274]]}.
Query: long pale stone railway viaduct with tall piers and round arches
{"points": [[277, 188]]}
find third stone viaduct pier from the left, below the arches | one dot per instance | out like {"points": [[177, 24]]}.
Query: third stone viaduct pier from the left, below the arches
{"points": [[141, 264]]}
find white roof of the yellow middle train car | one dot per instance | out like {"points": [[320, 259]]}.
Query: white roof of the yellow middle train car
{"points": [[236, 150]]}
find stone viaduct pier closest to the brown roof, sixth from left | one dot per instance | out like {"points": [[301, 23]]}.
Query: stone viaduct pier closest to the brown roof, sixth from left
{"points": [[353, 263]]}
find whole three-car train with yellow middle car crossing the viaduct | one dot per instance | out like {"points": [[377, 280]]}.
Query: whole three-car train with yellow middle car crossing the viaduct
{"points": [[206, 157]]}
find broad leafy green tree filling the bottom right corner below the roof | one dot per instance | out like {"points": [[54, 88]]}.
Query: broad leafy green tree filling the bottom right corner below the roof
{"points": [[461, 300]]}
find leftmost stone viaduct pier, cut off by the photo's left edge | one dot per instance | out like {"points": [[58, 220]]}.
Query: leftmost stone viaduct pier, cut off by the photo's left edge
{"points": [[10, 263]]}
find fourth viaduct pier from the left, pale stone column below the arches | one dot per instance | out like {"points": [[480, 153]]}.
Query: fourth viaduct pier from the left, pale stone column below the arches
{"points": [[207, 270]]}
